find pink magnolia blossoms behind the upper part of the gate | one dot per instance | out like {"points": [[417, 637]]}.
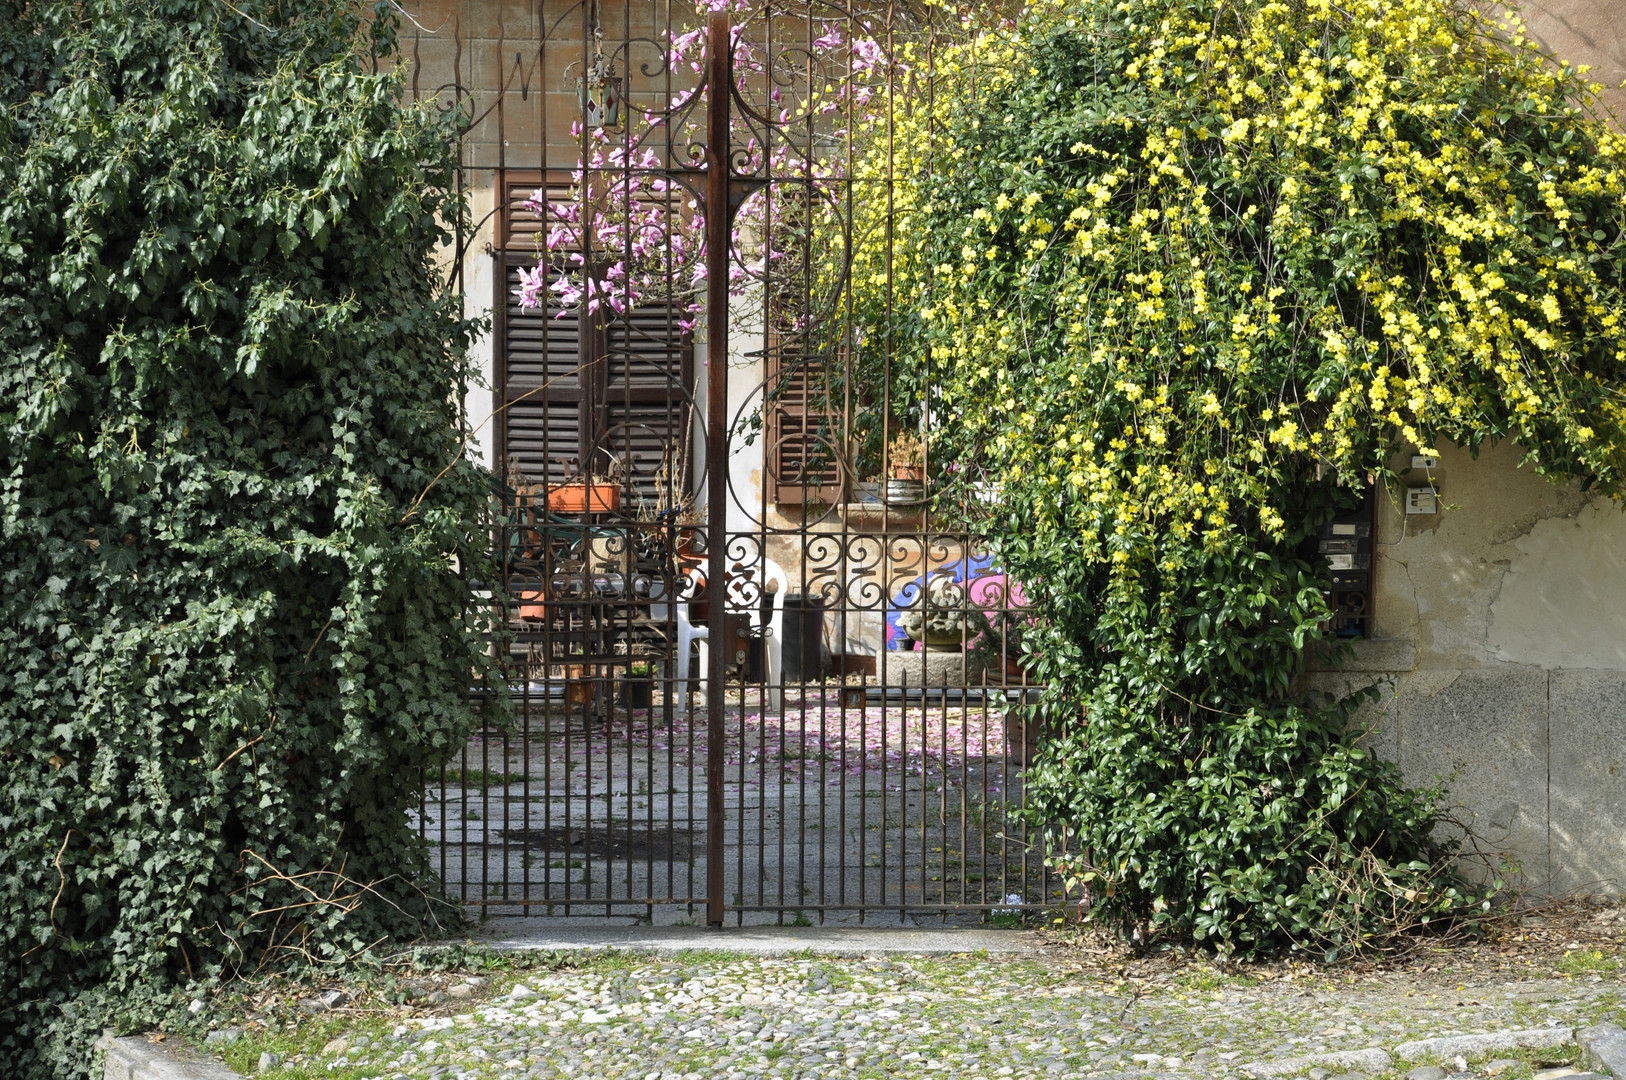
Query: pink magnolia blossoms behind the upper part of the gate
{"points": [[633, 237]]}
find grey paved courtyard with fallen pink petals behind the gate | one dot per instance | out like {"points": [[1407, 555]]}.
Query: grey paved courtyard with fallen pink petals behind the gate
{"points": [[830, 806]]}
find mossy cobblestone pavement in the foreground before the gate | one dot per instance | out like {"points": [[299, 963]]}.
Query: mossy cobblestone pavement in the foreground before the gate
{"points": [[1061, 1014]]}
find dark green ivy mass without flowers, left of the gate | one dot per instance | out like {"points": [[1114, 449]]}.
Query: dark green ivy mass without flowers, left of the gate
{"points": [[235, 622]]}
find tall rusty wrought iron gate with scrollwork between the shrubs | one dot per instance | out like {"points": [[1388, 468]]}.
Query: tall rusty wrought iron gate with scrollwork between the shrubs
{"points": [[703, 453]]}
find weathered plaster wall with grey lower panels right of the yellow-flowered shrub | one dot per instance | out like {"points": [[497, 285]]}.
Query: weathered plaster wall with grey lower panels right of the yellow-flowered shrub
{"points": [[1502, 656]]}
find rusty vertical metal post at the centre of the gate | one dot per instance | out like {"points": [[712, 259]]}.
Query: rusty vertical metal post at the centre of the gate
{"points": [[720, 84]]}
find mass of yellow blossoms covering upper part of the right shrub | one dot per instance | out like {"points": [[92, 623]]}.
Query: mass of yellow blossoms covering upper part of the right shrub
{"points": [[1233, 251]]}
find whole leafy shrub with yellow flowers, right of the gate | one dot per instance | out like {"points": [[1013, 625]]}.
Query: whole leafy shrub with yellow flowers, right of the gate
{"points": [[1185, 276]]}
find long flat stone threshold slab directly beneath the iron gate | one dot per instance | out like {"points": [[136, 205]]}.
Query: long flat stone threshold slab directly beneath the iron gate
{"points": [[547, 934]]}
